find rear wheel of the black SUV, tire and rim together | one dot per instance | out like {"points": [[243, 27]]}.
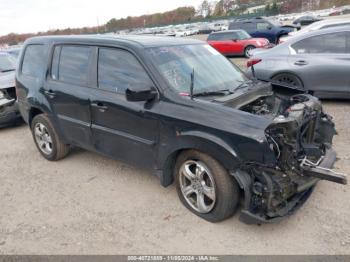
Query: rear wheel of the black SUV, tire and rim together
{"points": [[46, 139]]}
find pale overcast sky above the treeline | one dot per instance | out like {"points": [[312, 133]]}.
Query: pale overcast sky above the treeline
{"points": [[31, 16]]}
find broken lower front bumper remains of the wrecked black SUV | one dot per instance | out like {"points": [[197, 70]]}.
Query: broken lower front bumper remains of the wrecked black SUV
{"points": [[303, 193]]}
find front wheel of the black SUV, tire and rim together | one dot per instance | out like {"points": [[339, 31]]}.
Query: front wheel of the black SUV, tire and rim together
{"points": [[205, 187]]}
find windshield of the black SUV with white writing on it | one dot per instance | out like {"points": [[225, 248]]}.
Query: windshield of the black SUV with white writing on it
{"points": [[212, 71]]}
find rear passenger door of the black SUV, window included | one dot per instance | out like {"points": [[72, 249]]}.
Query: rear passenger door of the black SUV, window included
{"points": [[67, 90]]}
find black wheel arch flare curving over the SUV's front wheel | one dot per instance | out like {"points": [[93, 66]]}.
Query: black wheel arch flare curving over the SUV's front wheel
{"points": [[198, 140]]}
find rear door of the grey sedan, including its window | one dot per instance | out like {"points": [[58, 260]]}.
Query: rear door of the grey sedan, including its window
{"points": [[323, 62]]}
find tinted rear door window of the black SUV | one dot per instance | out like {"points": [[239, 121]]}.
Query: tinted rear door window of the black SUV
{"points": [[73, 64]]}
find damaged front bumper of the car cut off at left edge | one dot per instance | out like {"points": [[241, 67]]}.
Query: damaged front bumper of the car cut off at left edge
{"points": [[9, 112]]}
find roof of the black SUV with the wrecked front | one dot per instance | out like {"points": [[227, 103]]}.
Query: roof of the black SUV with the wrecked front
{"points": [[135, 40]]}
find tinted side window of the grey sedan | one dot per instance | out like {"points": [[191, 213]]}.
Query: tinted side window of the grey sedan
{"points": [[330, 43]]}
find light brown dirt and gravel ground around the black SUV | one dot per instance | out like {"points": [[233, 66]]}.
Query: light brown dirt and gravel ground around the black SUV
{"points": [[89, 204]]}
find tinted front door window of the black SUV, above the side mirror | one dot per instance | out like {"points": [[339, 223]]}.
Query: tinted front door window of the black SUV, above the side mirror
{"points": [[118, 70]]}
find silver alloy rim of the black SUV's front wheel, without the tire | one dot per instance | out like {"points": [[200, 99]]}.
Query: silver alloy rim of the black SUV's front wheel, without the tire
{"points": [[197, 186]]}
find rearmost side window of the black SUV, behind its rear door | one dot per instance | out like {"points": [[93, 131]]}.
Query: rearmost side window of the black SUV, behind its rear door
{"points": [[33, 61]]}
